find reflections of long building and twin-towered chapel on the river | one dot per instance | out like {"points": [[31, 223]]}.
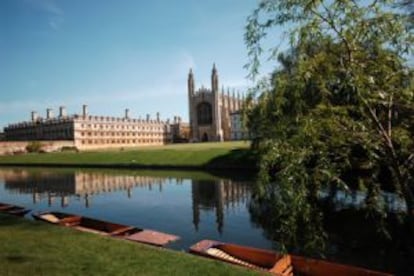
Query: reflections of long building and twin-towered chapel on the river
{"points": [[212, 195]]}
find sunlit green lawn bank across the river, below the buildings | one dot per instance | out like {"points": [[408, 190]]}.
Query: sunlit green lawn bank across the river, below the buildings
{"points": [[227, 155]]}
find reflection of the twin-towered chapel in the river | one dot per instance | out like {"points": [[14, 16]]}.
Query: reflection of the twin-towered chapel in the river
{"points": [[217, 195]]}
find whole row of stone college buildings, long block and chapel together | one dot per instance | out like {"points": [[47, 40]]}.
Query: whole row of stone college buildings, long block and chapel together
{"points": [[214, 116]]}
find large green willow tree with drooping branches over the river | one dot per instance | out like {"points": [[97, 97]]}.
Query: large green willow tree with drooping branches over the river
{"points": [[340, 101]]}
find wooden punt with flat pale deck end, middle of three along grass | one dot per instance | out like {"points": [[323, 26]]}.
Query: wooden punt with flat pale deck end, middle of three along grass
{"points": [[105, 228]]}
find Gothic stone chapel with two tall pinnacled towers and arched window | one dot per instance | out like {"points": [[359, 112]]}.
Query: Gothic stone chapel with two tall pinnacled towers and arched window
{"points": [[210, 110]]}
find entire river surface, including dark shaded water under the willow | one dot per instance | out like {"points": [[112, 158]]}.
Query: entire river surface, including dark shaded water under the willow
{"points": [[199, 205]]}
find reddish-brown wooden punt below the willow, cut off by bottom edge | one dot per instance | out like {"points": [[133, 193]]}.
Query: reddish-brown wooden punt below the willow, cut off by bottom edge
{"points": [[273, 262]]}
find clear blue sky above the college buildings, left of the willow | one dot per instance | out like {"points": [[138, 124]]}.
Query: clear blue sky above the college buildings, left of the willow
{"points": [[116, 54]]}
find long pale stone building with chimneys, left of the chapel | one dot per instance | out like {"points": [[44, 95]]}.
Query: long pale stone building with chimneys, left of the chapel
{"points": [[88, 132]]}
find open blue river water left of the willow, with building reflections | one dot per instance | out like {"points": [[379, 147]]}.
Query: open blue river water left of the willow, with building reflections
{"points": [[194, 206]]}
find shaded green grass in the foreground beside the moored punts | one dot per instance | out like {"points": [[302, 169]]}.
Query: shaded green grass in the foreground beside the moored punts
{"points": [[35, 248]]}
